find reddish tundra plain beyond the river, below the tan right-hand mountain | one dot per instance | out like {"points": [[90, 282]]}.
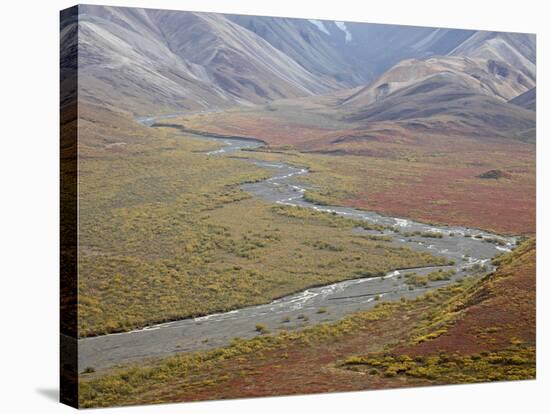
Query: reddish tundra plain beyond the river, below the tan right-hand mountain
{"points": [[423, 174]]}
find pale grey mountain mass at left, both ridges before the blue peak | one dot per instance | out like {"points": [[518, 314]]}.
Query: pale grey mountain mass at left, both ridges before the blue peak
{"points": [[148, 61]]}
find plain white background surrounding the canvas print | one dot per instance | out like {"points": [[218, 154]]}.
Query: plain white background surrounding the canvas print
{"points": [[29, 205]]}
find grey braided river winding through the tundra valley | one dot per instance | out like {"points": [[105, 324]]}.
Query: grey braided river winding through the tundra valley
{"points": [[468, 248]]}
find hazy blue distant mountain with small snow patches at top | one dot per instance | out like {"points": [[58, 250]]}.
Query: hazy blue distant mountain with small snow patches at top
{"points": [[352, 53]]}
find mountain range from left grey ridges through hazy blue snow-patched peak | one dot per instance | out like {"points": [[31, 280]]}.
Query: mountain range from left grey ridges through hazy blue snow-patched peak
{"points": [[146, 60]]}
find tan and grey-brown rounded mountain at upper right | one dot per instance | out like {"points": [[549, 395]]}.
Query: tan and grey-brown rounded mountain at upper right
{"points": [[466, 92]]}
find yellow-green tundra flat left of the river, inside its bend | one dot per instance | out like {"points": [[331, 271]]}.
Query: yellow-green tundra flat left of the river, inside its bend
{"points": [[167, 234]]}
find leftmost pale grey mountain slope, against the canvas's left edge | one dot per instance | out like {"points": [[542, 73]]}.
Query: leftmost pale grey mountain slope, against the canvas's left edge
{"points": [[124, 62]]}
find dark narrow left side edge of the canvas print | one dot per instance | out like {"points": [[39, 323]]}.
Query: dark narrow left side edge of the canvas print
{"points": [[69, 206]]}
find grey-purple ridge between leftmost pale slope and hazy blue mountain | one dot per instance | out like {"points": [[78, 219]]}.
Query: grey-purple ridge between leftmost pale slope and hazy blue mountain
{"points": [[229, 53]]}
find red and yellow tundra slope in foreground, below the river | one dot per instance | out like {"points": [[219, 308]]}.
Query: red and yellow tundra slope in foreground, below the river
{"points": [[464, 332]]}
